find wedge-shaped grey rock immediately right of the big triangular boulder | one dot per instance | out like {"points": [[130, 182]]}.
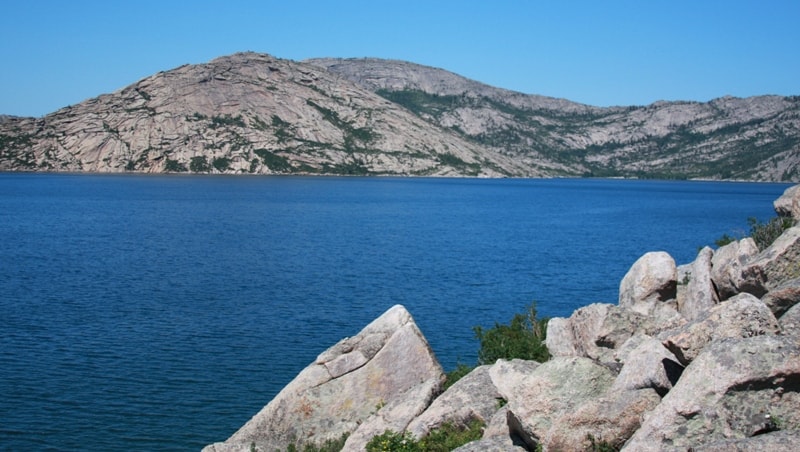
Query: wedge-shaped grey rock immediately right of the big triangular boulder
{"points": [[472, 397]]}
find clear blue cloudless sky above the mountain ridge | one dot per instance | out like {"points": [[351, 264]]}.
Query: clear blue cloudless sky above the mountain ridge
{"points": [[56, 53]]}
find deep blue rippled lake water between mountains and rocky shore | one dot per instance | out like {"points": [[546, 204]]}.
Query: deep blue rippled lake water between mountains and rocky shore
{"points": [[162, 312]]}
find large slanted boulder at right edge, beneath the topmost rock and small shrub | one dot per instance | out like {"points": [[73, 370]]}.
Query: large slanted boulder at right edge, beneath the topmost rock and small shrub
{"points": [[773, 266]]}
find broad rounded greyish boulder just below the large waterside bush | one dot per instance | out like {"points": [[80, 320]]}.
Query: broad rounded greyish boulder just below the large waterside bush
{"points": [[555, 388]]}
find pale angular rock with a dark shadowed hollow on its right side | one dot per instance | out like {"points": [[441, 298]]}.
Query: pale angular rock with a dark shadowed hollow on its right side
{"points": [[649, 365]]}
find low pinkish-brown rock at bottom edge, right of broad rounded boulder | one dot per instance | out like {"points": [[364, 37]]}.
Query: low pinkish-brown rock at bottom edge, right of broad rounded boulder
{"points": [[610, 419]]}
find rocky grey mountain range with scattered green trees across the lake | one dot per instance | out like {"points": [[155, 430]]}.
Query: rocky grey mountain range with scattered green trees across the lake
{"points": [[253, 113]]}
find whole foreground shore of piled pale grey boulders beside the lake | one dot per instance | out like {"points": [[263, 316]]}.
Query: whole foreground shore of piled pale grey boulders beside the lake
{"points": [[703, 356]]}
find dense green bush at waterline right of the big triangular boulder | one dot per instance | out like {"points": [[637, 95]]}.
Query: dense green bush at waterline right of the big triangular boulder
{"points": [[522, 338]]}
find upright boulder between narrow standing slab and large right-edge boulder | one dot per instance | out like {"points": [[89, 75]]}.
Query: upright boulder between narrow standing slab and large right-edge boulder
{"points": [[727, 265]]}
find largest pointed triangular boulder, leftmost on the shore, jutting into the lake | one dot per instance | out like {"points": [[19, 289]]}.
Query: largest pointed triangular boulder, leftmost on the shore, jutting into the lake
{"points": [[388, 364]]}
